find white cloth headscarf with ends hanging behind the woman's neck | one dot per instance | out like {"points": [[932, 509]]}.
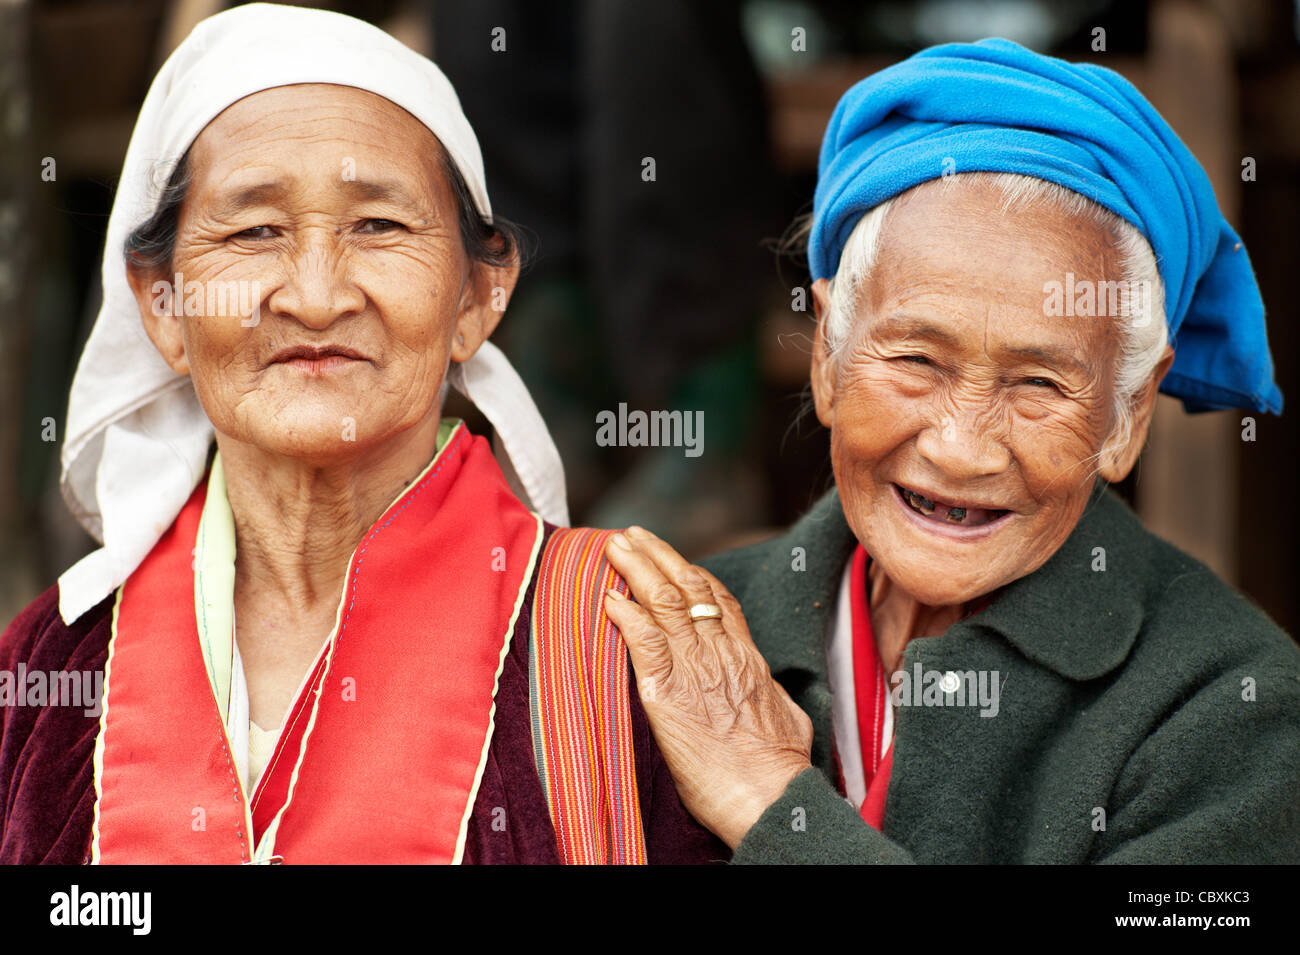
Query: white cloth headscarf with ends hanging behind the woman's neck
{"points": [[137, 439]]}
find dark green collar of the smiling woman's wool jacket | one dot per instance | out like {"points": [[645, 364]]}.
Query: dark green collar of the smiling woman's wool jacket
{"points": [[1078, 615]]}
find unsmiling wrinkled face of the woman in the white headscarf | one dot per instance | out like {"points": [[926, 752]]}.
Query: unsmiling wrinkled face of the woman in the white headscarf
{"points": [[327, 214]]}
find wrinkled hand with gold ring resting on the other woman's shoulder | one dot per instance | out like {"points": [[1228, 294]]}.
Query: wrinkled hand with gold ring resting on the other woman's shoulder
{"points": [[729, 732]]}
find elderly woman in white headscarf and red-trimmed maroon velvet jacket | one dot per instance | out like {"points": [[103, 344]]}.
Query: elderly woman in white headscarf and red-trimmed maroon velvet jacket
{"points": [[328, 626]]}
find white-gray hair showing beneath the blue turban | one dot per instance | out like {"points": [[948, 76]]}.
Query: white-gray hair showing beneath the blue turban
{"points": [[1143, 338]]}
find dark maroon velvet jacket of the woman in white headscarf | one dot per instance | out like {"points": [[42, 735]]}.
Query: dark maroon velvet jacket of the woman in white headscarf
{"points": [[47, 791]]}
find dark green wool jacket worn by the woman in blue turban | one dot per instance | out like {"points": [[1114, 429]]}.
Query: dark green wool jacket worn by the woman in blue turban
{"points": [[1149, 714]]}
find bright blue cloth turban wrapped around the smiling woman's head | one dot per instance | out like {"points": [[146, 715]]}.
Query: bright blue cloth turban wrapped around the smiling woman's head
{"points": [[998, 107]]}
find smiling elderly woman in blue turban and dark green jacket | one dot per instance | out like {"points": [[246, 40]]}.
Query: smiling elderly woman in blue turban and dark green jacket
{"points": [[972, 650]]}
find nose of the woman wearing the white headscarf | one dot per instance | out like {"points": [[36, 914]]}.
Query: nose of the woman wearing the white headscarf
{"points": [[317, 290]]}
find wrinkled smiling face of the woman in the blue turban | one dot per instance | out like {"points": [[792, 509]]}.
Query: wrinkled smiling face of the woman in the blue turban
{"points": [[967, 422]]}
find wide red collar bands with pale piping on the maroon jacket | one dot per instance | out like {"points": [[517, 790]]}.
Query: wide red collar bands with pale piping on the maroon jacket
{"points": [[406, 680]]}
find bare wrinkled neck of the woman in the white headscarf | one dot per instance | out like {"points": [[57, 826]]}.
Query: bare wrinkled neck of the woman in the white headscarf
{"points": [[298, 522]]}
